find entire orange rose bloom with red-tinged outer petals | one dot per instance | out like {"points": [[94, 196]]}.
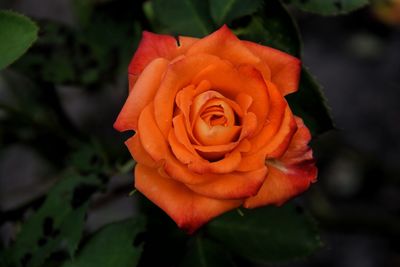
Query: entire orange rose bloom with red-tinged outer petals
{"points": [[213, 130]]}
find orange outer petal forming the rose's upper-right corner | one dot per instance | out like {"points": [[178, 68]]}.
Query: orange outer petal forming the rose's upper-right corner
{"points": [[285, 69]]}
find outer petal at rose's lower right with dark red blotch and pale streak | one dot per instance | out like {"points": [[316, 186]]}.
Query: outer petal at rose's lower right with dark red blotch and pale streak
{"points": [[290, 175]]}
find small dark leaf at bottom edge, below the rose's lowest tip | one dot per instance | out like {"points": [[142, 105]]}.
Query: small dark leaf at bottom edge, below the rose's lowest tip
{"points": [[203, 252]]}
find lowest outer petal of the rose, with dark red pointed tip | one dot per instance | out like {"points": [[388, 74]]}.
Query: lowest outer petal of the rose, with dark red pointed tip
{"points": [[187, 209]]}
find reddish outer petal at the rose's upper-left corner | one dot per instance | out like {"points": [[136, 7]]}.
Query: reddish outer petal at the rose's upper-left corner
{"points": [[153, 46]]}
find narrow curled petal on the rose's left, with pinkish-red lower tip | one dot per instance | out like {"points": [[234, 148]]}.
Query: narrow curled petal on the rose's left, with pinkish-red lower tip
{"points": [[142, 94]]}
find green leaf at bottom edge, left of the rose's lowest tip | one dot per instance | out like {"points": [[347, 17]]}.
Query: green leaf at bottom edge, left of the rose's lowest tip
{"points": [[114, 245]]}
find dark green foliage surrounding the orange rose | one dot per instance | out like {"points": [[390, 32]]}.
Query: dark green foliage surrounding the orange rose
{"points": [[94, 52]]}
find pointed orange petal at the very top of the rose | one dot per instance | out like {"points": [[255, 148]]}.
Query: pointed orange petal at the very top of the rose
{"points": [[224, 44]]}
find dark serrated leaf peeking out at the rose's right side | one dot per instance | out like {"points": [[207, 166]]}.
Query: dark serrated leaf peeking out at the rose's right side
{"points": [[310, 104]]}
